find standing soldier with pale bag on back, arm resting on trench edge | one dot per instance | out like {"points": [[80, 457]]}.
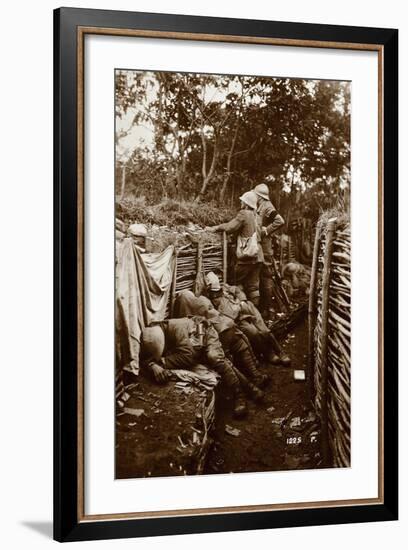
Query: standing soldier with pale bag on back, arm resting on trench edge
{"points": [[249, 249]]}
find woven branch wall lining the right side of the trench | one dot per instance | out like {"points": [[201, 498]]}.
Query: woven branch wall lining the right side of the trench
{"points": [[337, 360]]}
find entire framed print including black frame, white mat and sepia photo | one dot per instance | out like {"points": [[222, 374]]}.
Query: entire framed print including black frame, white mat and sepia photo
{"points": [[225, 274]]}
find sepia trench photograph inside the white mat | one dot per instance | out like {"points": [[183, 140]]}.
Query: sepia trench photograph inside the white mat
{"points": [[232, 273]]}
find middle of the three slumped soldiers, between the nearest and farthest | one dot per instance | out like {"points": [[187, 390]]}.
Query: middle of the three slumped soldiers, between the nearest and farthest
{"points": [[231, 337]]}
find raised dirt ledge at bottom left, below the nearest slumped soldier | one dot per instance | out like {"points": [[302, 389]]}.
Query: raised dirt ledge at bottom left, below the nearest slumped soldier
{"points": [[160, 432]]}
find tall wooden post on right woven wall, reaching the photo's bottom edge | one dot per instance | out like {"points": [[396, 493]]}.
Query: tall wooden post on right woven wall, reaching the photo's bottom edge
{"points": [[331, 227]]}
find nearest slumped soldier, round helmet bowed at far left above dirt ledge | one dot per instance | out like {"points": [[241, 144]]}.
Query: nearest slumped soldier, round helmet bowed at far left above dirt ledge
{"points": [[182, 343]]}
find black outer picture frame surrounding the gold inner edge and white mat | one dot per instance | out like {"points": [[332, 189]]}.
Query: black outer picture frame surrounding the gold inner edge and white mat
{"points": [[67, 525]]}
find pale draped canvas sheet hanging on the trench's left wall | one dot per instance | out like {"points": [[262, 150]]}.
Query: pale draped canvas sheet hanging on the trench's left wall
{"points": [[143, 284]]}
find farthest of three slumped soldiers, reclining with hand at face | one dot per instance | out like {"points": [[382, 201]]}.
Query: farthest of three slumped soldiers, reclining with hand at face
{"points": [[232, 302]]}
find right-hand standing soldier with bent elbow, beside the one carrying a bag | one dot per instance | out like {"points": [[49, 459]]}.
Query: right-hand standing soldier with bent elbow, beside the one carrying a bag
{"points": [[269, 221]]}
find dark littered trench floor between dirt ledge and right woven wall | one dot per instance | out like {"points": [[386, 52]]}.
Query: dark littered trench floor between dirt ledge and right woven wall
{"points": [[280, 434]]}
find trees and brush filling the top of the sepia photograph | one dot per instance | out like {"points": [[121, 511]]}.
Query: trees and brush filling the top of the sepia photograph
{"points": [[211, 137]]}
